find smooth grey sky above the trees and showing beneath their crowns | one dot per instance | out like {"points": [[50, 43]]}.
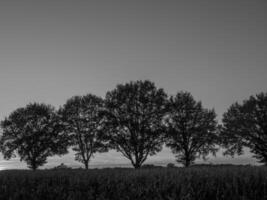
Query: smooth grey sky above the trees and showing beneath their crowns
{"points": [[52, 50]]}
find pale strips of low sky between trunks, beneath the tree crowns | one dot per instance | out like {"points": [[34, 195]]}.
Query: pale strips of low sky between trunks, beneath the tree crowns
{"points": [[115, 159]]}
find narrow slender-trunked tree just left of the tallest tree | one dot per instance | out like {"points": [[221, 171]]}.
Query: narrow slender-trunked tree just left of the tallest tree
{"points": [[82, 122]]}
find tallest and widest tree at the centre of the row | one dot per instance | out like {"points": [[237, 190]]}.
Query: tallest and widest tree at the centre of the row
{"points": [[134, 113]]}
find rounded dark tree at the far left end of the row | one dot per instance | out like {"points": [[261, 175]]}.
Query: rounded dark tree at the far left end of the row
{"points": [[33, 133]]}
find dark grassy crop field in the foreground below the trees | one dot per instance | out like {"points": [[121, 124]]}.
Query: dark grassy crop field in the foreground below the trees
{"points": [[198, 183]]}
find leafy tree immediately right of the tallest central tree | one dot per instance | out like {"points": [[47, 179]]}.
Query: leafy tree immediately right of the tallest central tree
{"points": [[191, 129]]}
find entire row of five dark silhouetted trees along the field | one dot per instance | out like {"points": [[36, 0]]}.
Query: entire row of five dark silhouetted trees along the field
{"points": [[136, 119]]}
